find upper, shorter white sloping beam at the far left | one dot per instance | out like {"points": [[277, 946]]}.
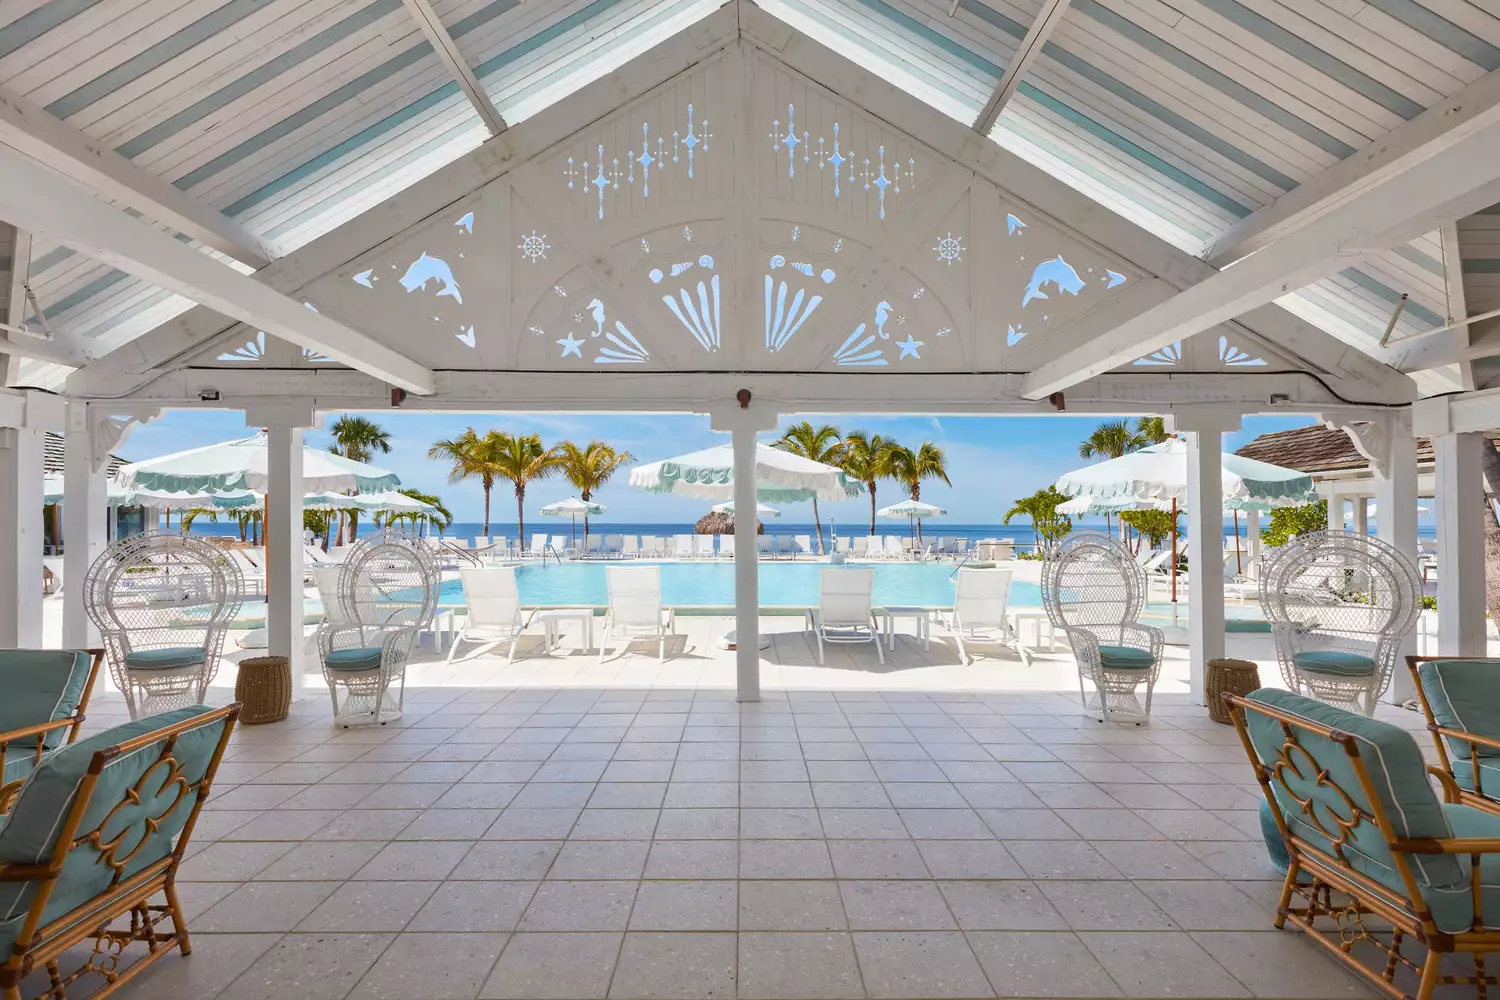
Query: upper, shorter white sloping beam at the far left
{"points": [[49, 140]]}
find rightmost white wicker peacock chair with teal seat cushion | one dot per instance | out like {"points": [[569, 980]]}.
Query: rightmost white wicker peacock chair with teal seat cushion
{"points": [[1340, 605]]}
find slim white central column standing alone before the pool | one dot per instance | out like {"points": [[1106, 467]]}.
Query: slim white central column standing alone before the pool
{"points": [[743, 424]]}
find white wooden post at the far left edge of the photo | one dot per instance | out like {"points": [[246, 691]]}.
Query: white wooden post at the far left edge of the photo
{"points": [[25, 418]]}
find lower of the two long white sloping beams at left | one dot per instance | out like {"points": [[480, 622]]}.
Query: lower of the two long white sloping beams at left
{"points": [[44, 203]]}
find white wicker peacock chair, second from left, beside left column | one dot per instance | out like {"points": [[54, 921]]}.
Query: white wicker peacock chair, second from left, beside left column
{"points": [[388, 596]]}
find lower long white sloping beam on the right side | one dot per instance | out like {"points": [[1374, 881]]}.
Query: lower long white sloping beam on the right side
{"points": [[1457, 176]]}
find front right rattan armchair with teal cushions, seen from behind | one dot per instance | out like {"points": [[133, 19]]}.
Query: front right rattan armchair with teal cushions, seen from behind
{"points": [[1378, 866]]}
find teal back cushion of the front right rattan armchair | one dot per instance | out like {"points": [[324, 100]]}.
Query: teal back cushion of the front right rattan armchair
{"points": [[1397, 771]]}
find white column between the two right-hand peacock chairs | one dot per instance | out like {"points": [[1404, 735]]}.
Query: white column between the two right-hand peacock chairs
{"points": [[1205, 540]]}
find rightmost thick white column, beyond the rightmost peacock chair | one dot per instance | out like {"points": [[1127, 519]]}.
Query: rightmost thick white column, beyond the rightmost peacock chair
{"points": [[1460, 558]]}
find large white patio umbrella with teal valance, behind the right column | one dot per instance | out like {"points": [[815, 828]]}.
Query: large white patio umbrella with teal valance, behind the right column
{"points": [[1160, 475]]}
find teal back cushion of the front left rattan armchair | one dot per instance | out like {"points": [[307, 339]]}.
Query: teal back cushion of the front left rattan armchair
{"points": [[148, 828]]}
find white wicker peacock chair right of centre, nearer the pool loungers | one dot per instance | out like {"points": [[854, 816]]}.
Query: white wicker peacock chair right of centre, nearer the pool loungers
{"points": [[1094, 590]]}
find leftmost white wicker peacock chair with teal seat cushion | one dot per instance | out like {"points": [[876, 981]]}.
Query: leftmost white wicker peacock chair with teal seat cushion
{"points": [[163, 603]]}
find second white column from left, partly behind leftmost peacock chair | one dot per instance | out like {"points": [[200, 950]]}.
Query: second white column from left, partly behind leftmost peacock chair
{"points": [[86, 528]]}
